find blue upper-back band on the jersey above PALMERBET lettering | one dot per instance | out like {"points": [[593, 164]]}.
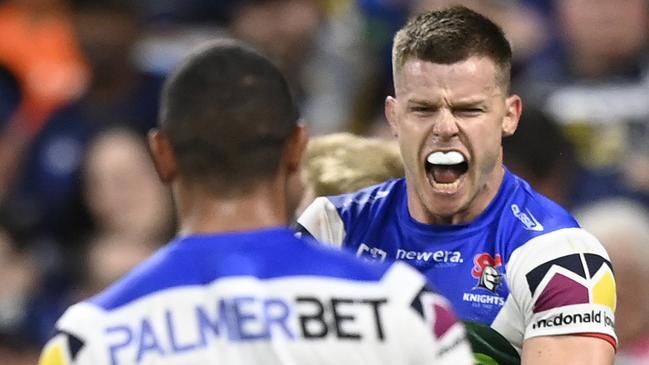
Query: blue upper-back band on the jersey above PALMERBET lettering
{"points": [[264, 254]]}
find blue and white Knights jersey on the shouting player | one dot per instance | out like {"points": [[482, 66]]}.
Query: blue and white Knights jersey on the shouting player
{"points": [[523, 267]]}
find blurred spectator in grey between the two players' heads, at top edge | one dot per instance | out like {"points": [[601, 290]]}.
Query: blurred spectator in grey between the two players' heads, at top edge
{"points": [[321, 48]]}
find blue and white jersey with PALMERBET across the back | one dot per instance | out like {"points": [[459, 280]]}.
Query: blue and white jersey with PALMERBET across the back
{"points": [[261, 297]]}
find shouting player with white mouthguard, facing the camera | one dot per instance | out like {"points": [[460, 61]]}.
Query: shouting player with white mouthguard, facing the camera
{"points": [[511, 261]]}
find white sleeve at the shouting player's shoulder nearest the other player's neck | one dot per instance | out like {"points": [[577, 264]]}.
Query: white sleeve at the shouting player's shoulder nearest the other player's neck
{"points": [[322, 221]]}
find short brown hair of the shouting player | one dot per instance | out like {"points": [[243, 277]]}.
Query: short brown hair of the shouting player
{"points": [[451, 35]]}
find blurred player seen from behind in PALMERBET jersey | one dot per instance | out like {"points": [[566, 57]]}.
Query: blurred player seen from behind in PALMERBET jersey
{"points": [[236, 286]]}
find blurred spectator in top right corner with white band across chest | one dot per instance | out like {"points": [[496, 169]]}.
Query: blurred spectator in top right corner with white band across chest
{"points": [[595, 80]]}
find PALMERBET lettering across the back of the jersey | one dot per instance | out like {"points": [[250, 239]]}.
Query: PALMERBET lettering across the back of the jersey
{"points": [[245, 318]]}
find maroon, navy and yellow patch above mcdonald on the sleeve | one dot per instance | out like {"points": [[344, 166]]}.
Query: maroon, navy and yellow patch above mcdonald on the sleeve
{"points": [[572, 279]]}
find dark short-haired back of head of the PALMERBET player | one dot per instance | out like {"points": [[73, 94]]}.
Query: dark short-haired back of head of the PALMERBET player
{"points": [[228, 112]]}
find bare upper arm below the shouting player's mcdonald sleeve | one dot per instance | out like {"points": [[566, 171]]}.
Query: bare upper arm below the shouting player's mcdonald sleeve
{"points": [[567, 349]]}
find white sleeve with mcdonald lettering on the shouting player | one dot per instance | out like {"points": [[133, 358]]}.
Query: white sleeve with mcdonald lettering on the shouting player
{"points": [[563, 283]]}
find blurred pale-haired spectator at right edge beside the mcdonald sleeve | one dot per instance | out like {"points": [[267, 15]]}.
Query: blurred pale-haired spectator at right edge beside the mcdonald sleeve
{"points": [[622, 226]]}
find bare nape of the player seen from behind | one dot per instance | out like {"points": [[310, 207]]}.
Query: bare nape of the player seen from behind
{"points": [[202, 213]]}
